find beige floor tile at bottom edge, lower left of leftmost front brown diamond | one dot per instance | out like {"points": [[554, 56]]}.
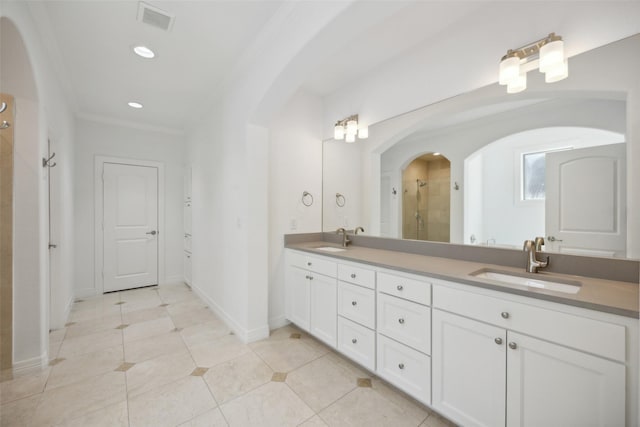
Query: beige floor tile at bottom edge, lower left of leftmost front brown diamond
{"points": [[79, 399]]}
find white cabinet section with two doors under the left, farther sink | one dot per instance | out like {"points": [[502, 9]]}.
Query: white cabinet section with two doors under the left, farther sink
{"points": [[311, 295]]}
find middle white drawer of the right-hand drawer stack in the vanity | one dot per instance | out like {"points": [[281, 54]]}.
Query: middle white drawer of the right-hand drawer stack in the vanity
{"points": [[405, 321]]}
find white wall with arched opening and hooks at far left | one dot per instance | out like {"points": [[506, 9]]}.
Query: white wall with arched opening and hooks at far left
{"points": [[43, 110]]}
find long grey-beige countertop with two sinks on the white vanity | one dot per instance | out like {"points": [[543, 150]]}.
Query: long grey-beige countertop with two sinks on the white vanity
{"points": [[608, 296]]}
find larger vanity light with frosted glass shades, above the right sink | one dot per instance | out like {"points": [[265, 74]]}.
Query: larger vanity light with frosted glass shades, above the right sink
{"points": [[546, 54]]}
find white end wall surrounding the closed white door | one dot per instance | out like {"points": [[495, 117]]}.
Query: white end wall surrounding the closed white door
{"points": [[113, 140]]}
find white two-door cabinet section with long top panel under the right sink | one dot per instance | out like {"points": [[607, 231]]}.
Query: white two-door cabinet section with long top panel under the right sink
{"points": [[501, 362]]}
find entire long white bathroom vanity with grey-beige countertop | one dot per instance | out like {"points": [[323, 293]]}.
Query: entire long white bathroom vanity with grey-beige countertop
{"points": [[475, 347]]}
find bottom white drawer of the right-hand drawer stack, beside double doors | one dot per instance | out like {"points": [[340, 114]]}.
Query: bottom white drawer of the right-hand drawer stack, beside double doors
{"points": [[404, 367]]}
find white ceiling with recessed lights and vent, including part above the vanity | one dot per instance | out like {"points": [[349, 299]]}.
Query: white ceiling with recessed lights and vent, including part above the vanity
{"points": [[90, 43]]}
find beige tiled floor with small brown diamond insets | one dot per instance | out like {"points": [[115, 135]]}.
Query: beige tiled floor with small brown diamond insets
{"points": [[159, 357]]}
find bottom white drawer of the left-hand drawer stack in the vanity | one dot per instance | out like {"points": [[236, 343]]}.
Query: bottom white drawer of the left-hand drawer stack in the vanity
{"points": [[357, 343]]}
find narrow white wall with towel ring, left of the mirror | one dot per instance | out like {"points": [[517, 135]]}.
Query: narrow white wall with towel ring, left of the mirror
{"points": [[295, 166]]}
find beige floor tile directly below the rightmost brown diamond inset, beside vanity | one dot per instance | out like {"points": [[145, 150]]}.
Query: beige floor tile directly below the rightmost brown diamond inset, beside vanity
{"points": [[366, 407]]}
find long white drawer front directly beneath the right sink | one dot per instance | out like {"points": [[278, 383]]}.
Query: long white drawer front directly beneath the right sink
{"points": [[582, 333]]}
